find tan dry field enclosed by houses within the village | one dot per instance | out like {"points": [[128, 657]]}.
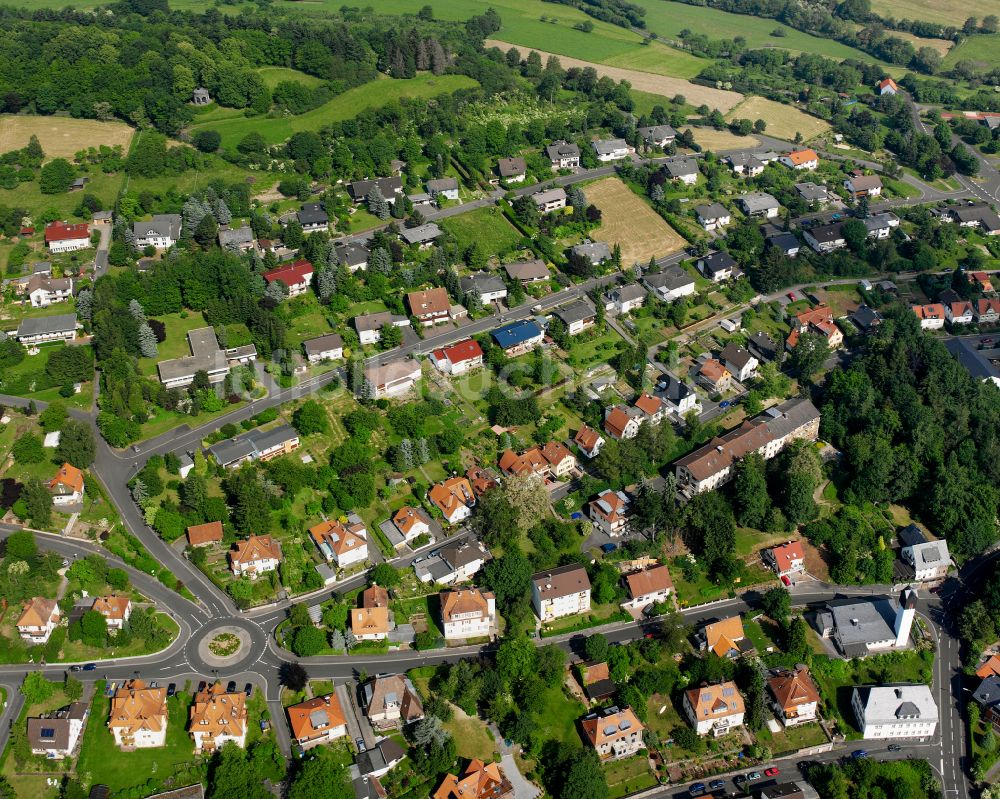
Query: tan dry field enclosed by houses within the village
{"points": [[628, 221]]}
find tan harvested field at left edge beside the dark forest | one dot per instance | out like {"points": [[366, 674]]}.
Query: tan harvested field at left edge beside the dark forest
{"points": [[61, 137]]}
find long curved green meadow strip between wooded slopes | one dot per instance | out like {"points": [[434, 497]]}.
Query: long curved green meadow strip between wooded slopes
{"points": [[233, 125]]}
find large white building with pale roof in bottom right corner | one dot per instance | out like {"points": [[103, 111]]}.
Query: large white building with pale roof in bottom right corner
{"points": [[895, 711]]}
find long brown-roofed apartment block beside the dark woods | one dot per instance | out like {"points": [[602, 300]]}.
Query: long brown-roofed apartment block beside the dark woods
{"points": [[767, 434]]}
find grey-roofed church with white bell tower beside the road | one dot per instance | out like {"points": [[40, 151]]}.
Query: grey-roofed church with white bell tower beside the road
{"points": [[861, 627]]}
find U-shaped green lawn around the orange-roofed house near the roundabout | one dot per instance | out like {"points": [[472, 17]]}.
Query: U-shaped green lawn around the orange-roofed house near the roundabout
{"points": [[105, 763]]}
